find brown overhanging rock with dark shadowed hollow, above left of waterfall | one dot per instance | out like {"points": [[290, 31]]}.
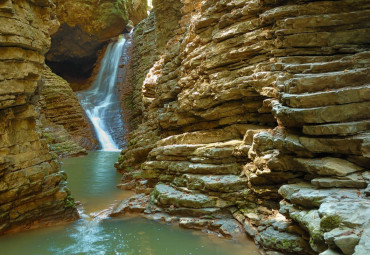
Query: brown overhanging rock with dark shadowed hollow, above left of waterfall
{"points": [[86, 26]]}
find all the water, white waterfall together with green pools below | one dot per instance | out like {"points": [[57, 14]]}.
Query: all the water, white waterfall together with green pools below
{"points": [[92, 180]]}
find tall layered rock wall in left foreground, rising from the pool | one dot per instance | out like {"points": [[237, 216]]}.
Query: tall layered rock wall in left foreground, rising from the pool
{"points": [[32, 189]]}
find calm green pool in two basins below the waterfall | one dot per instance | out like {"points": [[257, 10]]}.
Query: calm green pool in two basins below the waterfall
{"points": [[92, 180]]}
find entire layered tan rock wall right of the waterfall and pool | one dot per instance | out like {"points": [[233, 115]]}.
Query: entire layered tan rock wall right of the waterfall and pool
{"points": [[254, 113]]}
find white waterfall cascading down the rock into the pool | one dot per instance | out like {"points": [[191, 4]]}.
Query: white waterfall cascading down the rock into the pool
{"points": [[100, 101]]}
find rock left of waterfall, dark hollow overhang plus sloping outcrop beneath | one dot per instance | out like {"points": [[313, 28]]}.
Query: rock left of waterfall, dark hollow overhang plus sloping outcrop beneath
{"points": [[77, 48]]}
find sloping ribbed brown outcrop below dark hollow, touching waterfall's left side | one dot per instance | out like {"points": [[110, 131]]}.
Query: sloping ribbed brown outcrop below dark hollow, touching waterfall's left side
{"points": [[64, 123]]}
